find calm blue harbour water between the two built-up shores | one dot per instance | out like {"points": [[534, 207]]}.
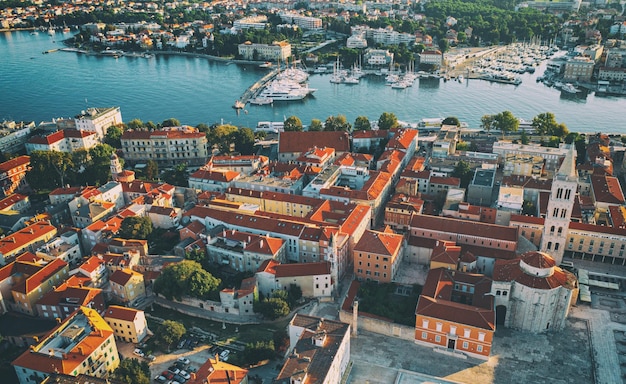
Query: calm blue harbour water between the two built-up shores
{"points": [[39, 87]]}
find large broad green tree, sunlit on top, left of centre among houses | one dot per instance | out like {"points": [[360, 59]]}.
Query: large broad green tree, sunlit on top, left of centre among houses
{"points": [[186, 278]]}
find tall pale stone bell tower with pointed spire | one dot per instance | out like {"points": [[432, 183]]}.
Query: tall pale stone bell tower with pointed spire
{"points": [[560, 205]]}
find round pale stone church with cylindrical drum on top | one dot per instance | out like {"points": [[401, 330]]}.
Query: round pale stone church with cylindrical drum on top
{"points": [[532, 293]]}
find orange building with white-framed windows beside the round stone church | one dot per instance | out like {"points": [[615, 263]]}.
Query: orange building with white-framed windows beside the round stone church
{"points": [[455, 313]]}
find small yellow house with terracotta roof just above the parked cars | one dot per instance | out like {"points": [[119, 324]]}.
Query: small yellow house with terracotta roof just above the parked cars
{"points": [[128, 324]]}
